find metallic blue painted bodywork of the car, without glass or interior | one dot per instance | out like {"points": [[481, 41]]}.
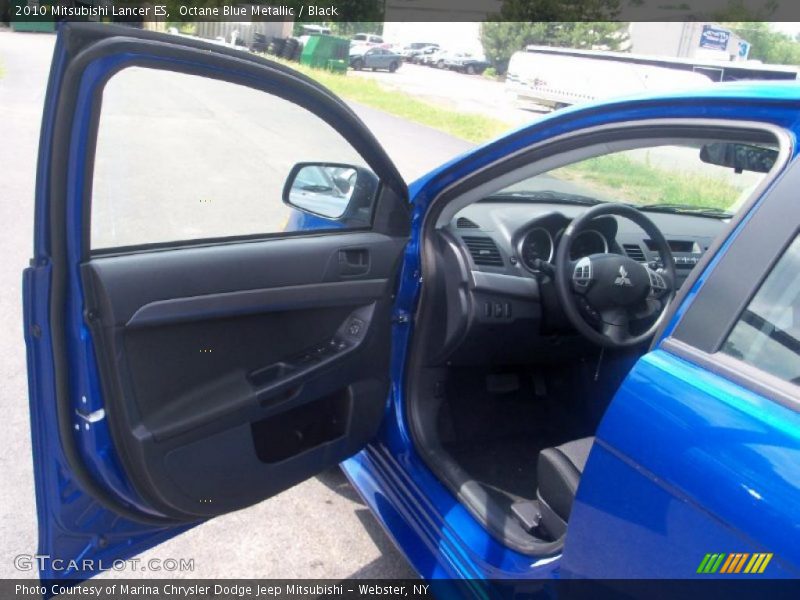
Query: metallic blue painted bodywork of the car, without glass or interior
{"points": [[720, 471]]}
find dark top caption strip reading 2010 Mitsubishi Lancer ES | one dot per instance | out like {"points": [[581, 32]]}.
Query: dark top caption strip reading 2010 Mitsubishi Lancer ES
{"points": [[365, 11]]}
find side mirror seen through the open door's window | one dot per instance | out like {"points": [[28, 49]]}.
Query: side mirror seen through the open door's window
{"points": [[331, 190]]}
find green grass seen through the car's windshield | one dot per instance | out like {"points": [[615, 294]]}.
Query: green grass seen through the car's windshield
{"points": [[626, 179]]}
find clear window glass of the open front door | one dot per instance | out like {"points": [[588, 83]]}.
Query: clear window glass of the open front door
{"points": [[181, 157]]}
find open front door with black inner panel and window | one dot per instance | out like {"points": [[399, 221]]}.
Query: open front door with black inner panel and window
{"points": [[187, 355]]}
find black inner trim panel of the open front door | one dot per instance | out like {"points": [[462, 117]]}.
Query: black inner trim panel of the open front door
{"points": [[236, 369]]}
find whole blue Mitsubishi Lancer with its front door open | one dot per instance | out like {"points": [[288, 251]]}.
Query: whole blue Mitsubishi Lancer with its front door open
{"points": [[571, 353]]}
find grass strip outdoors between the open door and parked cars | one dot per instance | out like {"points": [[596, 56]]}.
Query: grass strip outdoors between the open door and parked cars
{"points": [[470, 127]]}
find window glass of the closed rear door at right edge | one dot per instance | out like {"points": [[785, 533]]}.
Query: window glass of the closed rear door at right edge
{"points": [[767, 334]]}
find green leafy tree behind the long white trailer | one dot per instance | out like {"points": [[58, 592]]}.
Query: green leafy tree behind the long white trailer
{"points": [[501, 39]]}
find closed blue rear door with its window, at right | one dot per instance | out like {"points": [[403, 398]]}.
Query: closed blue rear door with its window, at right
{"points": [[696, 467]]}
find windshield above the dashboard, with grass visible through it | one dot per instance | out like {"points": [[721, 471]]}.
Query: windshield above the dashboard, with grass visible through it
{"points": [[663, 178]]}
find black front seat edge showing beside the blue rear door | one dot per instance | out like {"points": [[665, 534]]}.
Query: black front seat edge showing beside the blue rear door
{"points": [[559, 471]]}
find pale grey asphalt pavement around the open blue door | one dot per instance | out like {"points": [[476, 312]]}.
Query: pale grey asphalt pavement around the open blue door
{"points": [[319, 528]]}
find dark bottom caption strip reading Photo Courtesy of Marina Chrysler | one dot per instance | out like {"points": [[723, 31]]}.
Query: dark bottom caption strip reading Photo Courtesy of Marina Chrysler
{"points": [[248, 589]]}
